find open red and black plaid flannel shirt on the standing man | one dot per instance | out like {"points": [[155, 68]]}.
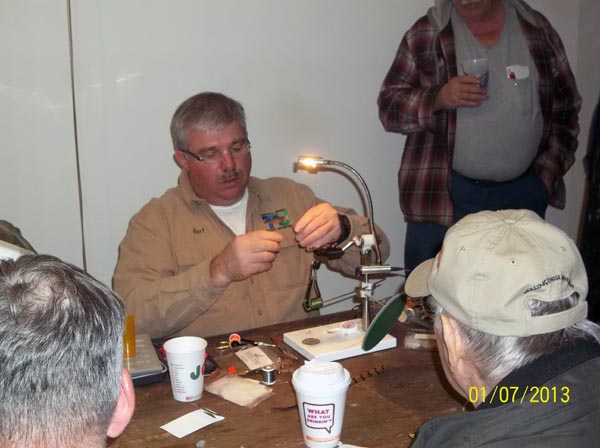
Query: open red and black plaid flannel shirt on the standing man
{"points": [[425, 61]]}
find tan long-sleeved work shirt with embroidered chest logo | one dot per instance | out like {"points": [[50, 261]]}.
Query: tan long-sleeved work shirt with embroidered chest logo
{"points": [[163, 267]]}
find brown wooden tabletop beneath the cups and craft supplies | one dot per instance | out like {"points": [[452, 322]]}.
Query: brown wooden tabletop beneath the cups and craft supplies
{"points": [[381, 410]]}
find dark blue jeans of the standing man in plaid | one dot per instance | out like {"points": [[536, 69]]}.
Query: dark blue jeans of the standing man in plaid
{"points": [[424, 239]]}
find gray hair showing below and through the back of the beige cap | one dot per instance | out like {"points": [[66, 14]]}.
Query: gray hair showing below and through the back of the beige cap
{"points": [[497, 356]]}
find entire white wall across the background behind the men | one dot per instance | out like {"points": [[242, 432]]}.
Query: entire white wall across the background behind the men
{"points": [[307, 71]]}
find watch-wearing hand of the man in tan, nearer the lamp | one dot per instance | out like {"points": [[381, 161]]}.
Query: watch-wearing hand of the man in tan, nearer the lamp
{"points": [[318, 226]]}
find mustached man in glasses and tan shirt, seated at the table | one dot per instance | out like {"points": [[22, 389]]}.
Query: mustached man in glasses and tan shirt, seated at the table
{"points": [[224, 251]]}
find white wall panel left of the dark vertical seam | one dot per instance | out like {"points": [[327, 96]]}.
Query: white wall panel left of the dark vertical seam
{"points": [[38, 171]]}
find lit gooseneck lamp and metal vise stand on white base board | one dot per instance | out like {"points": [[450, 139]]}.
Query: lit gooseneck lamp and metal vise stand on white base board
{"points": [[346, 339]]}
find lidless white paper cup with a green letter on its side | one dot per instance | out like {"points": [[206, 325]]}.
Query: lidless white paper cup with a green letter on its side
{"points": [[185, 356]]}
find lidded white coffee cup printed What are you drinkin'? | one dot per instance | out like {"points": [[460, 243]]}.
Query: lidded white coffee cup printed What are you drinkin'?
{"points": [[321, 389]]}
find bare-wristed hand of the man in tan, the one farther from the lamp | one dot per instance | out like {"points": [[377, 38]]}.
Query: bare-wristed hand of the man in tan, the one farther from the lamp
{"points": [[245, 256]]}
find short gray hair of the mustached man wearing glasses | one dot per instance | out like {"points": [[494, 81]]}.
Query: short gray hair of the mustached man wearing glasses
{"points": [[206, 112]]}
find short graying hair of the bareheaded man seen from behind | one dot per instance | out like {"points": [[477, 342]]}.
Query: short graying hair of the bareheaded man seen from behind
{"points": [[61, 349]]}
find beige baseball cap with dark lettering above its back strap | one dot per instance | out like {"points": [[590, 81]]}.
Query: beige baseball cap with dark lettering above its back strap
{"points": [[492, 263]]}
